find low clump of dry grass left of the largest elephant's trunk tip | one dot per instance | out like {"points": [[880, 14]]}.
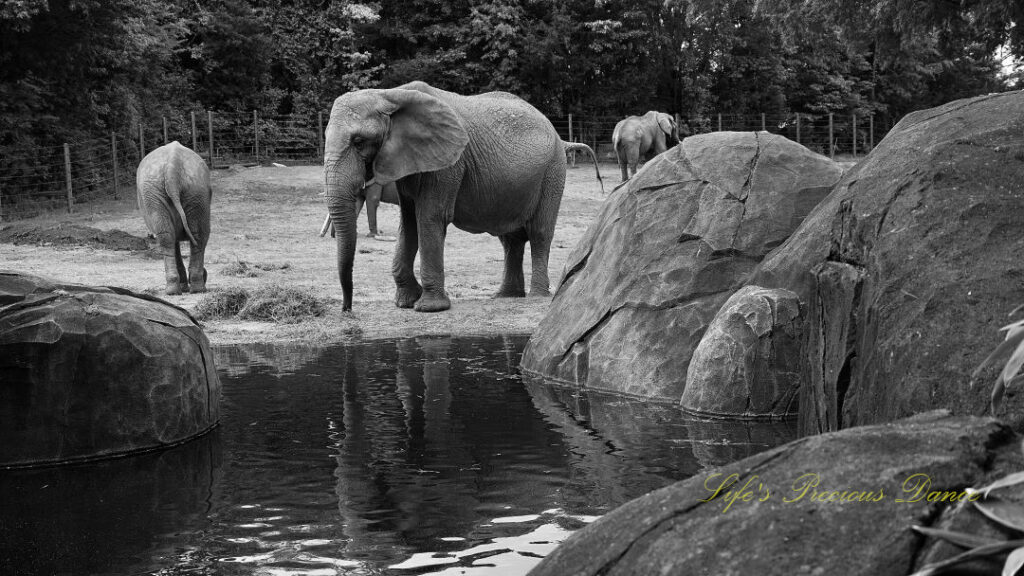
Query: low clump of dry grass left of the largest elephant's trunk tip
{"points": [[270, 304]]}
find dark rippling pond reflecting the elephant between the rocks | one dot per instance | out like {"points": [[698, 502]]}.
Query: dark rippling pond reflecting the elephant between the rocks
{"points": [[415, 457]]}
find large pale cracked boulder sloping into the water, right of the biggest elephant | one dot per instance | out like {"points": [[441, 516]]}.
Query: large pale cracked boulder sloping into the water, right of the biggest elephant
{"points": [[667, 251]]}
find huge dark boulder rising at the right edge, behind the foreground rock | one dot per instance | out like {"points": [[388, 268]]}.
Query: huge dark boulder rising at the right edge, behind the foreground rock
{"points": [[910, 266]]}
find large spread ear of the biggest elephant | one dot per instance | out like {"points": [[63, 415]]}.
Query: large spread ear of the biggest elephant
{"points": [[425, 136]]}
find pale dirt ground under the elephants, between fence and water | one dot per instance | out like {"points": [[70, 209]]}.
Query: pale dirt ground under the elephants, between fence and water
{"points": [[270, 218]]}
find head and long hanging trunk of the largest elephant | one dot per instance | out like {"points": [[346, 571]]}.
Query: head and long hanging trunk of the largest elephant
{"points": [[382, 137]]}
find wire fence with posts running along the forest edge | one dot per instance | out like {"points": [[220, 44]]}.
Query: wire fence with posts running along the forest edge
{"points": [[45, 180]]}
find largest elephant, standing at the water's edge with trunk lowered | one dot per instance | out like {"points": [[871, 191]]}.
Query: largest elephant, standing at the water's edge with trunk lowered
{"points": [[489, 163]]}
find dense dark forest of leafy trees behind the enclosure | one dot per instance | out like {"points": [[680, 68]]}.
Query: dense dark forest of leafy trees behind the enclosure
{"points": [[74, 68]]}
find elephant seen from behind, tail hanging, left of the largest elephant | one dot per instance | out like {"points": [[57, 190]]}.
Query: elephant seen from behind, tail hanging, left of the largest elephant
{"points": [[175, 196]]}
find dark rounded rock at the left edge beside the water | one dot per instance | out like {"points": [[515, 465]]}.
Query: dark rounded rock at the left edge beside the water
{"points": [[91, 373]]}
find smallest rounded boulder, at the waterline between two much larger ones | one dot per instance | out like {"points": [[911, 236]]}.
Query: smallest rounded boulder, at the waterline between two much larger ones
{"points": [[739, 369]]}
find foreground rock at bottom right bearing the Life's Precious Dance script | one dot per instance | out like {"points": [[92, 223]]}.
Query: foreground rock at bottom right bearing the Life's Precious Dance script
{"points": [[776, 531]]}
